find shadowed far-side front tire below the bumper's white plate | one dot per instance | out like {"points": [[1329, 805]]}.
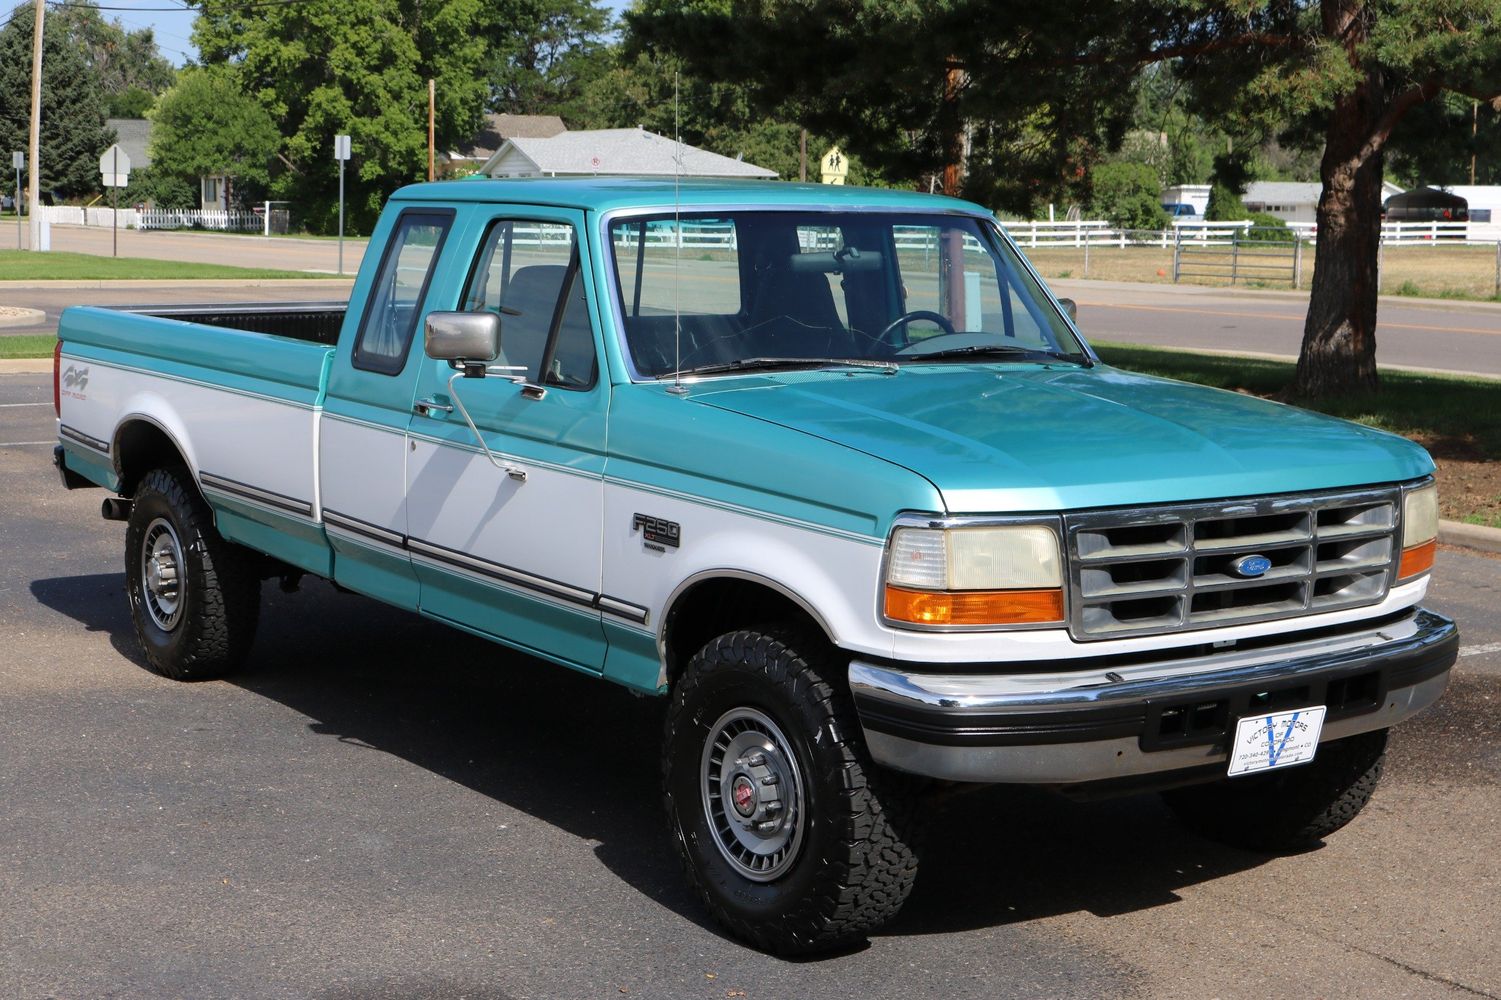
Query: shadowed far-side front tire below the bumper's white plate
{"points": [[1287, 810]]}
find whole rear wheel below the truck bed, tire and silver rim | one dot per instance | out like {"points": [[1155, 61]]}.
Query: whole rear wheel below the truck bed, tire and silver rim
{"points": [[194, 597]]}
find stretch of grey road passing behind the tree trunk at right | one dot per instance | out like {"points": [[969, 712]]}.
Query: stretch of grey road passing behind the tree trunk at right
{"points": [[1452, 337]]}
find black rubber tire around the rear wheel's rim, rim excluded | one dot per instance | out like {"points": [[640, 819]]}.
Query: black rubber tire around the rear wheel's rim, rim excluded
{"points": [[224, 591]]}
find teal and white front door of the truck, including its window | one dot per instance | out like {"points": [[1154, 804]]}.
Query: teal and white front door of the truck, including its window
{"points": [[504, 520]]}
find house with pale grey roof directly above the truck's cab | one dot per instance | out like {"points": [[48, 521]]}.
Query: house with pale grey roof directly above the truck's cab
{"points": [[633, 152]]}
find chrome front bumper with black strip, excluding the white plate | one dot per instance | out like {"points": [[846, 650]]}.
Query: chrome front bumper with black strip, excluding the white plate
{"points": [[1105, 720]]}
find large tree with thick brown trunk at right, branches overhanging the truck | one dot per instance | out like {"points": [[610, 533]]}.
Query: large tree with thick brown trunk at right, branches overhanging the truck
{"points": [[1044, 88]]}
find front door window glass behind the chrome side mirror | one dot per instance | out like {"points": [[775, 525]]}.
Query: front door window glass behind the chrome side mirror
{"points": [[529, 274]]}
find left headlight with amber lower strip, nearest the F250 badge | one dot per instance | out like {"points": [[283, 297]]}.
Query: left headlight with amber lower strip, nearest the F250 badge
{"points": [[975, 576]]}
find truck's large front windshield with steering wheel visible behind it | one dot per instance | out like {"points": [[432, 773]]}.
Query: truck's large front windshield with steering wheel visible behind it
{"points": [[793, 289]]}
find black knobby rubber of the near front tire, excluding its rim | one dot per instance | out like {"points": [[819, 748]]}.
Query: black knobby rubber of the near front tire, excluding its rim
{"points": [[870, 878]]}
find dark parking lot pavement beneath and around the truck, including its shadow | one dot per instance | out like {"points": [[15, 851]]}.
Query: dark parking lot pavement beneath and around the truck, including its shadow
{"points": [[388, 809]]}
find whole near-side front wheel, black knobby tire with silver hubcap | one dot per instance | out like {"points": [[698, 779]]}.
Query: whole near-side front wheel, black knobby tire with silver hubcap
{"points": [[793, 839]]}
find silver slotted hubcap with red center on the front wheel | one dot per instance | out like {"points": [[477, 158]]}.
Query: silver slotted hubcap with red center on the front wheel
{"points": [[753, 795]]}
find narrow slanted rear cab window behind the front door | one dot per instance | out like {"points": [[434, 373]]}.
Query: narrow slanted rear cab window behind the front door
{"points": [[391, 315]]}
